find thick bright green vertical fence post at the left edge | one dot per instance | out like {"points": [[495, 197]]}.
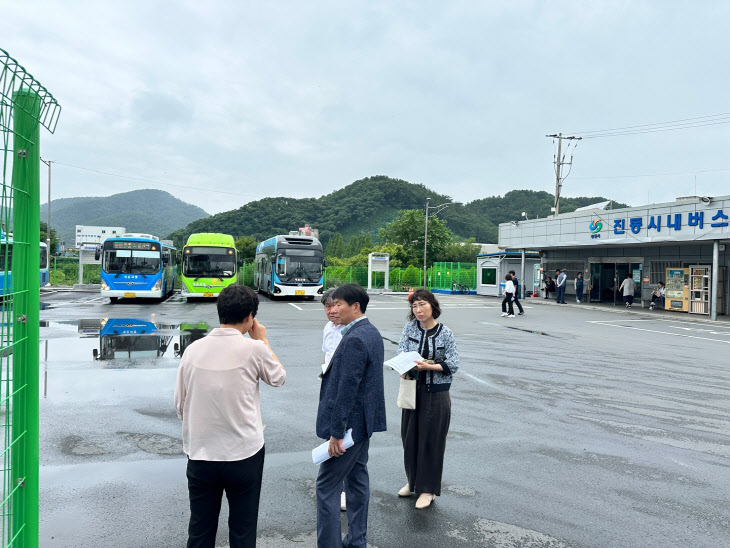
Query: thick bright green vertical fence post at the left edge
{"points": [[26, 321]]}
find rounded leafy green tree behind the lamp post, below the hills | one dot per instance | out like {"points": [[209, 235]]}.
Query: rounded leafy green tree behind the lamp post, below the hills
{"points": [[408, 230]]}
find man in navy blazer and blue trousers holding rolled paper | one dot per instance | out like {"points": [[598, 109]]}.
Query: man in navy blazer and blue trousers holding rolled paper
{"points": [[351, 396]]}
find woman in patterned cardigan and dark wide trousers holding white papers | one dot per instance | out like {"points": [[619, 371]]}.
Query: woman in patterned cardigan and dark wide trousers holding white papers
{"points": [[424, 429]]}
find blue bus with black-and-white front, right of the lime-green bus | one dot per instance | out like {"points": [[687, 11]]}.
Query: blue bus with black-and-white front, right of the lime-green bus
{"points": [[289, 266]]}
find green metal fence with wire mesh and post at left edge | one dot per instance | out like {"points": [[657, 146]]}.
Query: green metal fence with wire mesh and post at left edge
{"points": [[25, 105]]}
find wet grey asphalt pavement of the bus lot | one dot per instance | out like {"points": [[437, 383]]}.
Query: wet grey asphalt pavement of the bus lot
{"points": [[571, 427]]}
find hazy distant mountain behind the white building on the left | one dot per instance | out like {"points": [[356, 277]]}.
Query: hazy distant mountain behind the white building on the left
{"points": [[151, 211]]}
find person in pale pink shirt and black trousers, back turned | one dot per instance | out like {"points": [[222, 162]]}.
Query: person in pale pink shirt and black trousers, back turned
{"points": [[217, 398]]}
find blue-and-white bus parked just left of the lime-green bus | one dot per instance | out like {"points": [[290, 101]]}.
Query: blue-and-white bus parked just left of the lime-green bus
{"points": [[137, 265]]}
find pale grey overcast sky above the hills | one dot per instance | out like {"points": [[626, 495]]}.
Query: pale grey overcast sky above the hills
{"points": [[301, 98]]}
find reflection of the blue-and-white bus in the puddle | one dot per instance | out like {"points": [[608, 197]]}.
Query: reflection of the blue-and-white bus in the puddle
{"points": [[131, 338]]}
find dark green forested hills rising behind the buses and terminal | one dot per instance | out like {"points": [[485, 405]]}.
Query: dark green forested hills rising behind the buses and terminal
{"points": [[368, 204]]}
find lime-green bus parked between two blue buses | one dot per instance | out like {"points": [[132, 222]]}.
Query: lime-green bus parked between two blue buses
{"points": [[209, 263]]}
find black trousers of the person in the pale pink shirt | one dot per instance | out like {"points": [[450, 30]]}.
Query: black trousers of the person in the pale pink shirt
{"points": [[241, 481]]}
